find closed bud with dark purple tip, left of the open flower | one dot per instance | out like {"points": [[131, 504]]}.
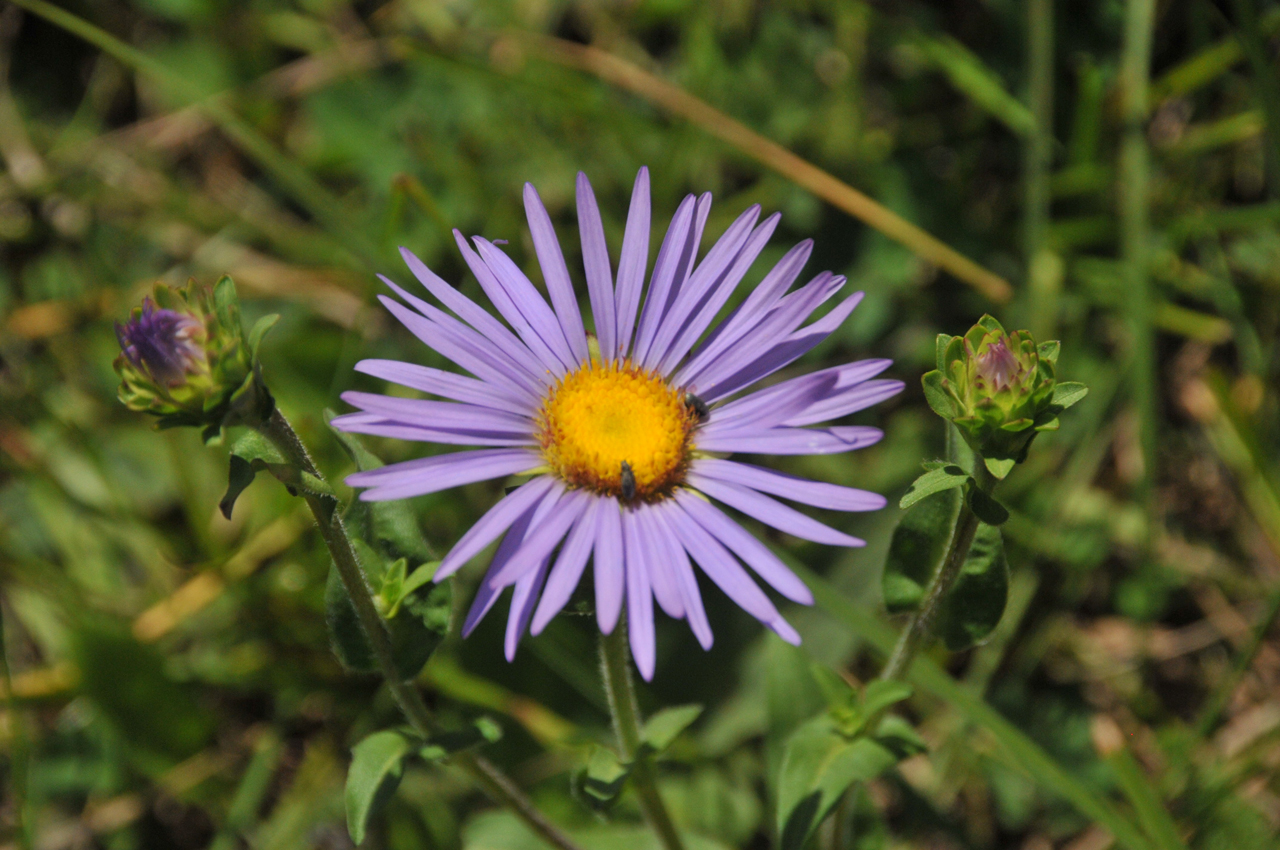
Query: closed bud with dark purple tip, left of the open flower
{"points": [[186, 360]]}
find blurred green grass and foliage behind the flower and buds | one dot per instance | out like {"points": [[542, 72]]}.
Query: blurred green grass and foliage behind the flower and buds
{"points": [[172, 682]]}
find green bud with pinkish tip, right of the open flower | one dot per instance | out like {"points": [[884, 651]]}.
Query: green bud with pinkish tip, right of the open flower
{"points": [[999, 390]]}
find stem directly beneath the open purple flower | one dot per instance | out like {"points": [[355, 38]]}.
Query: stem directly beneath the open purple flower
{"points": [[620, 691]]}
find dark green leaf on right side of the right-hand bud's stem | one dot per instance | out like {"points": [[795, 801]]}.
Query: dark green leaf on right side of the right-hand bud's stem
{"points": [[976, 602]]}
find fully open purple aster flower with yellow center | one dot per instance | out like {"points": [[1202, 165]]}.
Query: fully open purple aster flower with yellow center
{"points": [[621, 435]]}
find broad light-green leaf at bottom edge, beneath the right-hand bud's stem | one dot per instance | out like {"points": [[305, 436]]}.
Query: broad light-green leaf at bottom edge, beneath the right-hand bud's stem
{"points": [[819, 767]]}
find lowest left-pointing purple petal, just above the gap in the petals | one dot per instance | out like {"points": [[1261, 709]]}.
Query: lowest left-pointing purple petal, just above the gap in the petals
{"points": [[444, 472]]}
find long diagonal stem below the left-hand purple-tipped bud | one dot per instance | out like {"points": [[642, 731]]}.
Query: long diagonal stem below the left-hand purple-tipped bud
{"points": [[335, 533]]}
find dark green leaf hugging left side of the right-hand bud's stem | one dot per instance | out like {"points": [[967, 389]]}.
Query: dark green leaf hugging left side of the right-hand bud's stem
{"points": [[918, 546]]}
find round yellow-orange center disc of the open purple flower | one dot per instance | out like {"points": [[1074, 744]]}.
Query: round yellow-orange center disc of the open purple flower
{"points": [[605, 417]]}
